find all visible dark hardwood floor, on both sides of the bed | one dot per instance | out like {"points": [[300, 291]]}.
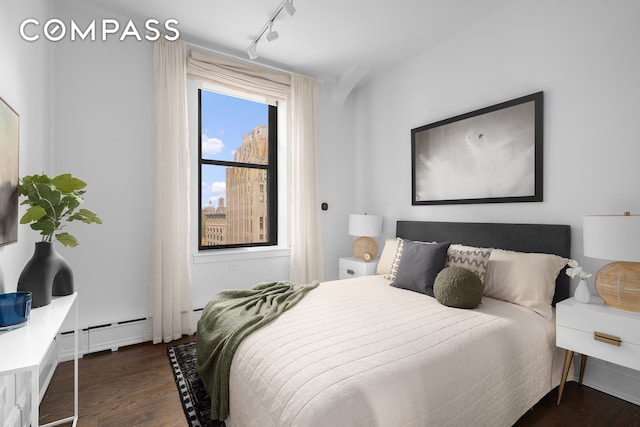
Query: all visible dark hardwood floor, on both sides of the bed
{"points": [[134, 387]]}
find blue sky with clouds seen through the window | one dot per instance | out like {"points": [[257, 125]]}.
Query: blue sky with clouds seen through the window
{"points": [[225, 120]]}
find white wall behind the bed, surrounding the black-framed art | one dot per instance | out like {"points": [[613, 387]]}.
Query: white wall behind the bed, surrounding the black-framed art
{"points": [[582, 54]]}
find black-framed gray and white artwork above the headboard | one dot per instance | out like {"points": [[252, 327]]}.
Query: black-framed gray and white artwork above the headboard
{"points": [[491, 155]]}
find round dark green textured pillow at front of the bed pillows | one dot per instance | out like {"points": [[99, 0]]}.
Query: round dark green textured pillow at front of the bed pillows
{"points": [[458, 287]]}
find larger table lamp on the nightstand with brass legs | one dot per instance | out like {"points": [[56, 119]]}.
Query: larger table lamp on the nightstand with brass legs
{"points": [[615, 237]]}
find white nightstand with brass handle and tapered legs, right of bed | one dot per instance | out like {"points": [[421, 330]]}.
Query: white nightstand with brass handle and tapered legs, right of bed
{"points": [[598, 331]]}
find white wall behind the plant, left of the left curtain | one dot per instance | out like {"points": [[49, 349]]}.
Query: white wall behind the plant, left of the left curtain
{"points": [[104, 135]]}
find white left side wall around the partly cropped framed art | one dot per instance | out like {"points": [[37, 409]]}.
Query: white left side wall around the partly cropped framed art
{"points": [[25, 84]]}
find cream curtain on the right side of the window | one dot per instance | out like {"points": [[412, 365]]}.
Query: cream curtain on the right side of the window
{"points": [[305, 222]]}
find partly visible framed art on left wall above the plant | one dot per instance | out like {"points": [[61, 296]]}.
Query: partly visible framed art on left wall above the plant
{"points": [[9, 135]]}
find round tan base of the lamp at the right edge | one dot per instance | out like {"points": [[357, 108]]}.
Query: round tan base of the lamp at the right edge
{"points": [[618, 284]]}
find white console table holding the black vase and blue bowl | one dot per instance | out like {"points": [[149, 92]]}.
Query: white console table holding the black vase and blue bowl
{"points": [[25, 348]]}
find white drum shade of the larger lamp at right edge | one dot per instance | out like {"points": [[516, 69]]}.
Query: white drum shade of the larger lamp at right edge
{"points": [[612, 237]]}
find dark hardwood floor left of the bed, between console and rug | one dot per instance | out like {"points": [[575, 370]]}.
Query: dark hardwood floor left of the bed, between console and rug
{"points": [[133, 386]]}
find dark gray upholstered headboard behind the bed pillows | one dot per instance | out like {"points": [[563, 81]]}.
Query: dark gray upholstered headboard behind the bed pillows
{"points": [[542, 238]]}
